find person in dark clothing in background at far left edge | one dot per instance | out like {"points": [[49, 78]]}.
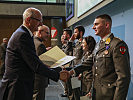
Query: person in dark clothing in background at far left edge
{"points": [[3, 47]]}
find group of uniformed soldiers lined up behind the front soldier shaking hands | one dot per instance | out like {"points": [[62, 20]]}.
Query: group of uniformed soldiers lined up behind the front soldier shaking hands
{"points": [[80, 47]]}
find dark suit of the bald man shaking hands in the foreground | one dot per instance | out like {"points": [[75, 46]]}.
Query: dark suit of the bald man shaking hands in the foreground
{"points": [[21, 64]]}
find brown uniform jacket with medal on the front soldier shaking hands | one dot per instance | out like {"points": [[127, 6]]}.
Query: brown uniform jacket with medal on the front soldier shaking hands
{"points": [[111, 69]]}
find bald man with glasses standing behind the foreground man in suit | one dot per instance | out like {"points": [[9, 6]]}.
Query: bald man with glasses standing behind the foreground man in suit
{"points": [[41, 82]]}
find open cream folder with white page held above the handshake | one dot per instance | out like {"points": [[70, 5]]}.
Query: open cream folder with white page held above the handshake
{"points": [[55, 57]]}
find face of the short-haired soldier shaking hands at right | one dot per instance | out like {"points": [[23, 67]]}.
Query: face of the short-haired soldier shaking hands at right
{"points": [[99, 26]]}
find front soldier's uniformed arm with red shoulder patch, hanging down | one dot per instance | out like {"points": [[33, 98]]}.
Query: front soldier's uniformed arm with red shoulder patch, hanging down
{"points": [[122, 68]]}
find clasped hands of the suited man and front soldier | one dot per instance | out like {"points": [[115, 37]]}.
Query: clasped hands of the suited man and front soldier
{"points": [[64, 75]]}
